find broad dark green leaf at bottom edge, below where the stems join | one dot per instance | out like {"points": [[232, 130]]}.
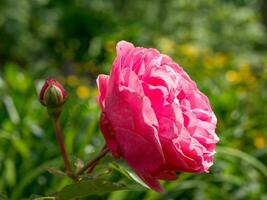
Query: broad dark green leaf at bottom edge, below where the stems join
{"points": [[89, 187]]}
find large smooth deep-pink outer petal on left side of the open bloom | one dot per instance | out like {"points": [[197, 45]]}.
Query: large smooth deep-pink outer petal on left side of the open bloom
{"points": [[134, 122]]}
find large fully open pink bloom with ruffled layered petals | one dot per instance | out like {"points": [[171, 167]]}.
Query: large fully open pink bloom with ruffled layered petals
{"points": [[154, 117]]}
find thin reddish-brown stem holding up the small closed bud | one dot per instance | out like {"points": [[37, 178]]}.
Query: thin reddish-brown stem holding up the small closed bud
{"points": [[62, 149]]}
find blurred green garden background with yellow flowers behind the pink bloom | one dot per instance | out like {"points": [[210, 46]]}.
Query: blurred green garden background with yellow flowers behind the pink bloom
{"points": [[221, 44]]}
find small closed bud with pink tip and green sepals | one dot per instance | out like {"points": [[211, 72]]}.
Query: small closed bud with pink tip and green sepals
{"points": [[53, 94]]}
